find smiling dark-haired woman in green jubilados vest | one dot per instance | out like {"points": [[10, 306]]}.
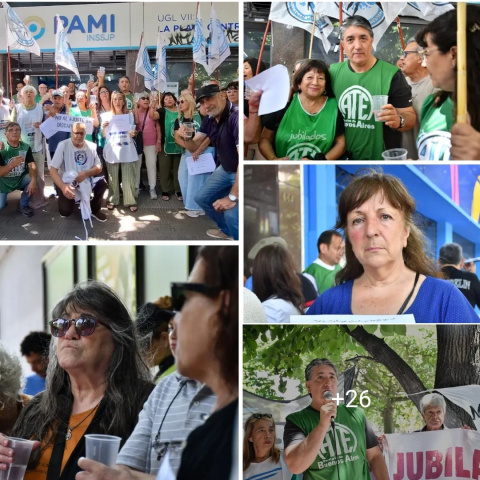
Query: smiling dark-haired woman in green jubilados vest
{"points": [[310, 127]]}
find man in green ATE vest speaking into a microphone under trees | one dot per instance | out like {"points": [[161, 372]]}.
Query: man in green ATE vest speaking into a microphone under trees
{"points": [[312, 448]]}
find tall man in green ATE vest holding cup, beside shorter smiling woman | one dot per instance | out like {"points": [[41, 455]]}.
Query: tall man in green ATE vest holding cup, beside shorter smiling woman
{"points": [[356, 81]]}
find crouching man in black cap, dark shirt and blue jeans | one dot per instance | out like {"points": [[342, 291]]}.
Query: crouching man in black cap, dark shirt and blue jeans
{"points": [[219, 195]]}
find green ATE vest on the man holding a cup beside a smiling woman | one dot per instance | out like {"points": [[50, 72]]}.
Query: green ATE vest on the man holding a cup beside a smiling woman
{"points": [[354, 91]]}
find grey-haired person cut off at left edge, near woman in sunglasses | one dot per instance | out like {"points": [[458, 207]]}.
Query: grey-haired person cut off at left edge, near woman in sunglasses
{"points": [[11, 399]]}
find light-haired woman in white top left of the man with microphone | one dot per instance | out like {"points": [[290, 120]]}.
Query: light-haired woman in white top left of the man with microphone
{"points": [[261, 457]]}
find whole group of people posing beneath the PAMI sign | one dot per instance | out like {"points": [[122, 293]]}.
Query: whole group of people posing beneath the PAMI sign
{"points": [[155, 136]]}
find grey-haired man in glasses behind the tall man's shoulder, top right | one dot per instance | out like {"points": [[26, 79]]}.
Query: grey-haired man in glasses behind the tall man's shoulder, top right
{"points": [[421, 83]]}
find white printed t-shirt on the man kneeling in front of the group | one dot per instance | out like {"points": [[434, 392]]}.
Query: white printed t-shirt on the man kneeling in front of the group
{"points": [[68, 157]]}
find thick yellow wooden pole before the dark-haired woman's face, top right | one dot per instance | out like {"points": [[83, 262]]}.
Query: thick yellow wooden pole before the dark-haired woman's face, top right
{"points": [[461, 62]]}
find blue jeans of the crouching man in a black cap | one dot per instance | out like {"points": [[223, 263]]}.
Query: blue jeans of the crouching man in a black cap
{"points": [[217, 186]]}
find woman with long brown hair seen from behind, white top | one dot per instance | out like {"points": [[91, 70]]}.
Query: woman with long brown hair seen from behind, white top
{"points": [[276, 284]]}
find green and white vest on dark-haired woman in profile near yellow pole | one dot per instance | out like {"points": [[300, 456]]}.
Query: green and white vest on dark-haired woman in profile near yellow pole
{"points": [[434, 138]]}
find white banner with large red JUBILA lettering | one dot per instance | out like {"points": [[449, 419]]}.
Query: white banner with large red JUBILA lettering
{"points": [[440, 455]]}
